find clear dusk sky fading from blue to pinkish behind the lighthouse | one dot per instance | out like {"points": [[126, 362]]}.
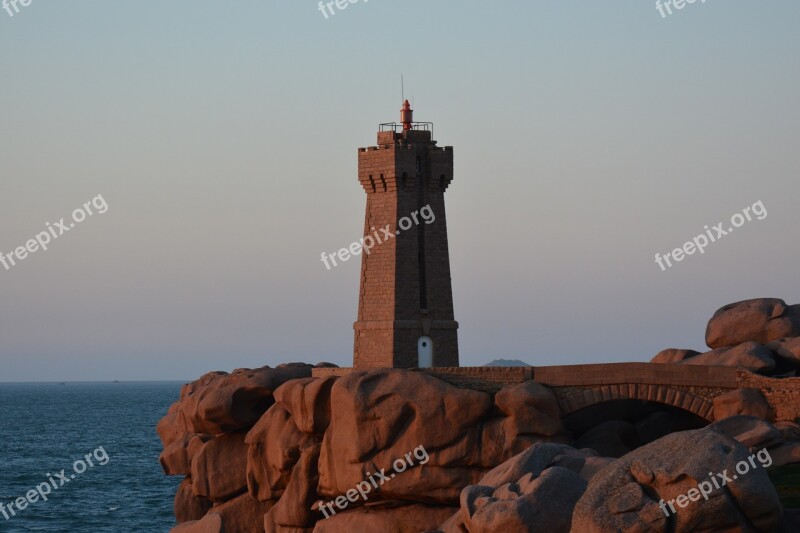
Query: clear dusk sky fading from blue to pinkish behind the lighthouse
{"points": [[223, 137]]}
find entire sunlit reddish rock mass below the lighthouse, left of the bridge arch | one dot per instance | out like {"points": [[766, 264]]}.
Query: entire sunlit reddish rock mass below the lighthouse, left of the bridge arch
{"points": [[320, 438]]}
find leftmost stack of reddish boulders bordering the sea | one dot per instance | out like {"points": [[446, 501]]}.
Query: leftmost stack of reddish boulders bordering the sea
{"points": [[203, 435]]}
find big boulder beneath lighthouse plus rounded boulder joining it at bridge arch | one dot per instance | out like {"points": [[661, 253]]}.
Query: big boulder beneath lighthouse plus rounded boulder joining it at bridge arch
{"points": [[465, 432]]}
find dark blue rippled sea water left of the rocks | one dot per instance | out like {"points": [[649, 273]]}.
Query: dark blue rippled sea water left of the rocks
{"points": [[49, 427]]}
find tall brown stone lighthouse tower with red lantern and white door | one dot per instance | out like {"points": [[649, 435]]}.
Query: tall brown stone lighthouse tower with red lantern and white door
{"points": [[405, 306]]}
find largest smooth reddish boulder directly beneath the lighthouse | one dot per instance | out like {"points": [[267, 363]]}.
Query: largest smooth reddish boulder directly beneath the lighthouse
{"points": [[378, 414]]}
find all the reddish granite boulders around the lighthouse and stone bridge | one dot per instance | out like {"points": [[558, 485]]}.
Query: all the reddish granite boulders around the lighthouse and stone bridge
{"points": [[277, 450]]}
